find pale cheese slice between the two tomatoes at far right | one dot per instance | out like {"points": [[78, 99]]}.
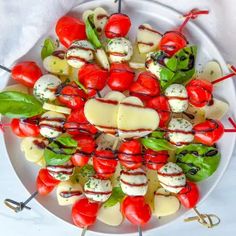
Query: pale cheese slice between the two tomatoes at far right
{"points": [[216, 110]]}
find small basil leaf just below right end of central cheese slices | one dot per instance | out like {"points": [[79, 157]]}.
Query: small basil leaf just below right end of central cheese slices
{"points": [[157, 144]]}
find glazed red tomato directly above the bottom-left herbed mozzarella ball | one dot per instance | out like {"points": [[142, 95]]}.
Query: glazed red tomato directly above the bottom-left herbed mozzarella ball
{"points": [[104, 163]]}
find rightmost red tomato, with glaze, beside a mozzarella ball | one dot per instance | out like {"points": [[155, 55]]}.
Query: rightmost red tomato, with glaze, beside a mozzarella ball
{"points": [[208, 132]]}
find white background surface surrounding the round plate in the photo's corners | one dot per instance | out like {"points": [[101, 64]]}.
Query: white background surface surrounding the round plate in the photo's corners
{"points": [[220, 25]]}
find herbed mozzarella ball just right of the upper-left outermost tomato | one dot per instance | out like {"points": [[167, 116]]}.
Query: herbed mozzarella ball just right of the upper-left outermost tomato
{"points": [[45, 87]]}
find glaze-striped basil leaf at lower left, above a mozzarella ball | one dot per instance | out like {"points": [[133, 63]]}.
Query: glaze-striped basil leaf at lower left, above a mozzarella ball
{"points": [[60, 150]]}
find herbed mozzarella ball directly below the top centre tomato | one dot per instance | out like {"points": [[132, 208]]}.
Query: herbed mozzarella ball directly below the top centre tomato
{"points": [[119, 50]]}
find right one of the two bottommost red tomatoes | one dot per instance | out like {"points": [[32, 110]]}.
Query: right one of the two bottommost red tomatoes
{"points": [[136, 210]]}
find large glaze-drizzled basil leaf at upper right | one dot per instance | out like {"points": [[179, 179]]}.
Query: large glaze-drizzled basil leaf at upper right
{"points": [[179, 68]]}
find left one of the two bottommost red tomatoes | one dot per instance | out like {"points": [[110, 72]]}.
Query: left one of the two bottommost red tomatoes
{"points": [[84, 212]]}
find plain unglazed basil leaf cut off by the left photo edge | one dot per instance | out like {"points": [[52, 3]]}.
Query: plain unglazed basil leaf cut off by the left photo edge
{"points": [[19, 105]]}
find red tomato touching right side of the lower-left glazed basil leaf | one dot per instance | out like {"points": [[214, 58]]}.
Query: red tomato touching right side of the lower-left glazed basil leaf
{"points": [[86, 145]]}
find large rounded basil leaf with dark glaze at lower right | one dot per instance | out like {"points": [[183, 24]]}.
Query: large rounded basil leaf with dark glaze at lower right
{"points": [[198, 161]]}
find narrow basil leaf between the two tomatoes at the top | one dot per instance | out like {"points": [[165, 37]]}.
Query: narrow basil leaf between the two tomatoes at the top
{"points": [[92, 34]]}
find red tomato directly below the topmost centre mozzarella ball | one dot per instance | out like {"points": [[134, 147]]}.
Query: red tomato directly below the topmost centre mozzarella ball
{"points": [[121, 77]]}
